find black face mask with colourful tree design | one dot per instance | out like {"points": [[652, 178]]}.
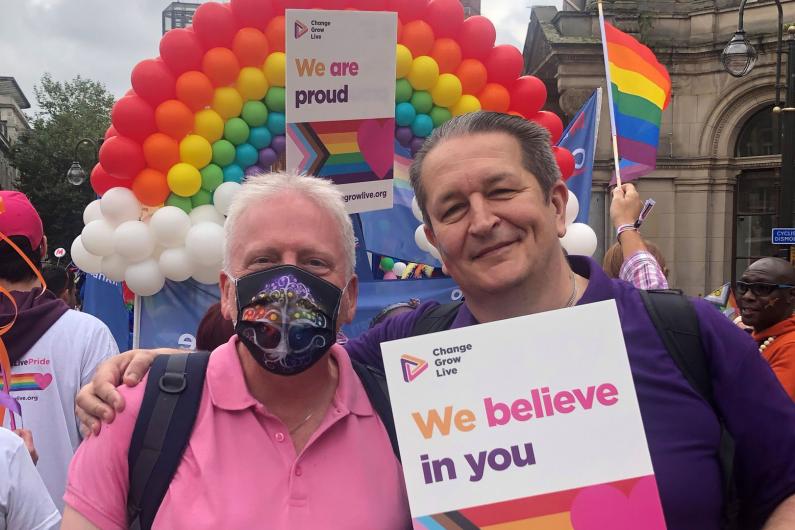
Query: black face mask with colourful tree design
{"points": [[286, 317]]}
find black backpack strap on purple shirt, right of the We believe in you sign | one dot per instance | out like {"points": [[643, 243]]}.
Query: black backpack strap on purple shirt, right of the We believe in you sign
{"points": [[677, 325]]}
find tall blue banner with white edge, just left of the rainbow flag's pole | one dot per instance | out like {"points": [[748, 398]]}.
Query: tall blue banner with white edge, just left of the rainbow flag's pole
{"points": [[580, 138]]}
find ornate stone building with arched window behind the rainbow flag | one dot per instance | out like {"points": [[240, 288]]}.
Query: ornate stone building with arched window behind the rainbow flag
{"points": [[718, 175]]}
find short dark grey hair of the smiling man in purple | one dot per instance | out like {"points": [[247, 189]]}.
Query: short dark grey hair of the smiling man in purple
{"points": [[537, 156]]}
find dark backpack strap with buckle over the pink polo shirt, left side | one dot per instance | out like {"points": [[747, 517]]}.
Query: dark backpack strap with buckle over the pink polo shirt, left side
{"points": [[162, 430]]}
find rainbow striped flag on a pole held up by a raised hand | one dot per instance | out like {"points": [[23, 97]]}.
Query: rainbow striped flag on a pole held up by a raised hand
{"points": [[640, 88]]}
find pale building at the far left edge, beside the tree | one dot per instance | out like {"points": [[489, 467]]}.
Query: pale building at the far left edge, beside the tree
{"points": [[12, 125]]}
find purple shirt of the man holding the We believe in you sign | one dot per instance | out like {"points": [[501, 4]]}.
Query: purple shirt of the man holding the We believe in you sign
{"points": [[681, 428]]}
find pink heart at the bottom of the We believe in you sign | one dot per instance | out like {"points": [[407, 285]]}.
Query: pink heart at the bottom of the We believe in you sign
{"points": [[605, 506]]}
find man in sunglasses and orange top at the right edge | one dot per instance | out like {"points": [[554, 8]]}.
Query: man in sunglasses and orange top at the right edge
{"points": [[766, 297]]}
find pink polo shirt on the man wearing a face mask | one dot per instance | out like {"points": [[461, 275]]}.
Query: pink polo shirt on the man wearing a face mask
{"points": [[240, 469]]}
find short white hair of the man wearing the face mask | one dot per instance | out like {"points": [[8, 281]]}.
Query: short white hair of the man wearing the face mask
{"points": [[260, 188]]}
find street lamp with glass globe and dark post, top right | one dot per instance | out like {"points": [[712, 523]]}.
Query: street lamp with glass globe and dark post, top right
{"points": [[738, 59]]}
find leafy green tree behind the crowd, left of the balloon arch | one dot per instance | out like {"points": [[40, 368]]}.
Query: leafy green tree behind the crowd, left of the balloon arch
{"points": [[69, 111]]}
